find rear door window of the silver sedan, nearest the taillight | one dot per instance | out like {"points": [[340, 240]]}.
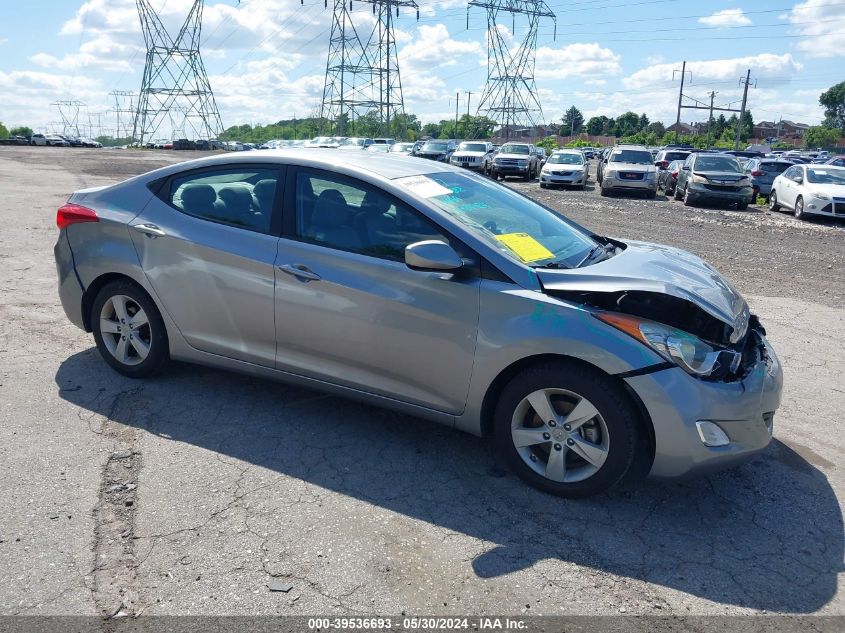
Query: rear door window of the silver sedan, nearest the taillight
{"points": [[243, 197]]}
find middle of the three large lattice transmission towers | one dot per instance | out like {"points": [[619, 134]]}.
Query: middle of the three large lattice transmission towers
{"points": [[362, 73]]}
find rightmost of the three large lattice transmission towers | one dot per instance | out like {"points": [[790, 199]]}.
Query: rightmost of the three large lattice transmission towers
{"points": [[510, 95]]}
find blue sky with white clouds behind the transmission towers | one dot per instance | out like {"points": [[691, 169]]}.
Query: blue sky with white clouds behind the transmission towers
{"points": [[266, 58]]}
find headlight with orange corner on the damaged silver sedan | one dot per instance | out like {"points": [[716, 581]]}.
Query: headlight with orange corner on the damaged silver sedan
{"points": [[686, 350]]}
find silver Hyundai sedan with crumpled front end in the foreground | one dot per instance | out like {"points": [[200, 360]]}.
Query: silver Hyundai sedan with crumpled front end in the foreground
{"points": [[431, 290]]}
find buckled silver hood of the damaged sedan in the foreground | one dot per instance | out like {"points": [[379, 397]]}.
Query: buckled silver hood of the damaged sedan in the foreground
{"points": [[660, 269]]}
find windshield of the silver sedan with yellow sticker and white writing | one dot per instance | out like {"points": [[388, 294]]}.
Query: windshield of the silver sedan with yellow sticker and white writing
{"points": [[511, 223]]}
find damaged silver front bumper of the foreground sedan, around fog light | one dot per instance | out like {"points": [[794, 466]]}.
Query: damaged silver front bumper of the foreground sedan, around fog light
{"points": [[743, 409]]}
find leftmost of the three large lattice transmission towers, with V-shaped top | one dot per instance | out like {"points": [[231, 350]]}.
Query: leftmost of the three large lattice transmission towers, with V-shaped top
{"points": [[174, 78]]}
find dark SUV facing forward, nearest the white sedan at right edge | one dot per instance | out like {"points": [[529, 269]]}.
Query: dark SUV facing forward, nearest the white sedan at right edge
{"points": [[706, 176]]}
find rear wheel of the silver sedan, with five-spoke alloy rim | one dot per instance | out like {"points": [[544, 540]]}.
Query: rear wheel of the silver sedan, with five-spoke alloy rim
{"points": [[129, 330]]}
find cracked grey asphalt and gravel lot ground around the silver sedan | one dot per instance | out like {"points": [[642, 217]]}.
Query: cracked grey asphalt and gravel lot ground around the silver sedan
{"points": [[188, 493]]}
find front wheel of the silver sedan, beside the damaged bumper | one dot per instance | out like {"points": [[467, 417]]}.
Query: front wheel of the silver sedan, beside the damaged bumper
{"points": [[566, 430]]}
